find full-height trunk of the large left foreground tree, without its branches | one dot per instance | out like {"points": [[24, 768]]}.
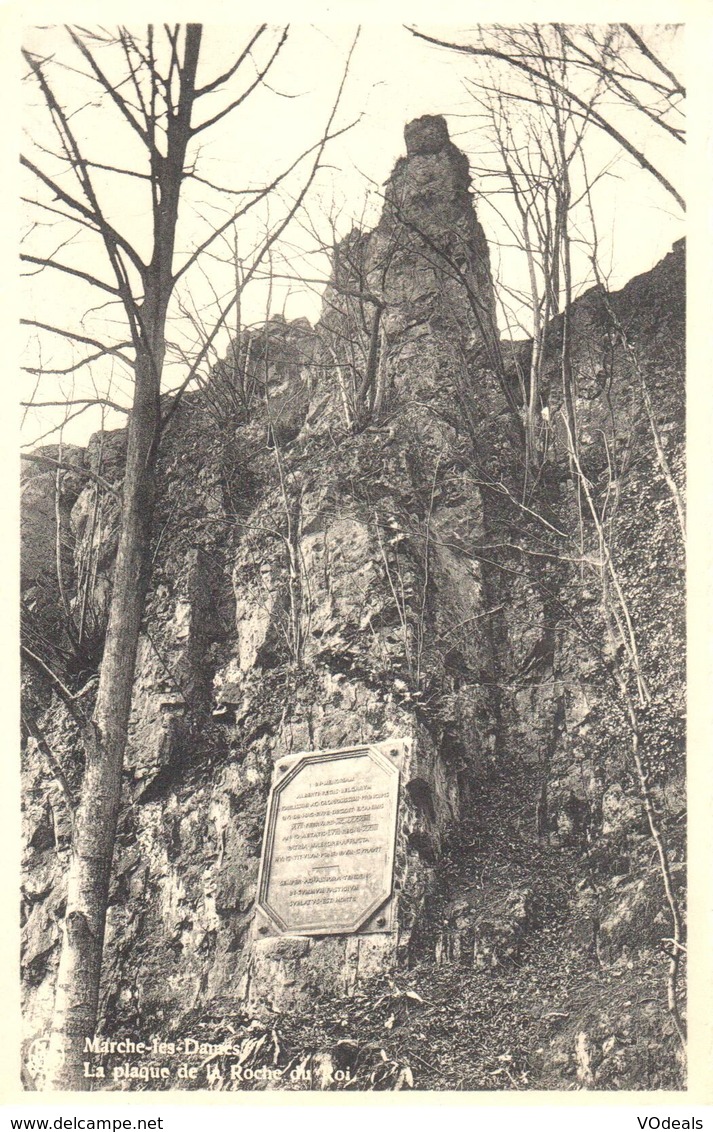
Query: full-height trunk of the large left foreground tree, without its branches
{"points": [[76, 1001]]}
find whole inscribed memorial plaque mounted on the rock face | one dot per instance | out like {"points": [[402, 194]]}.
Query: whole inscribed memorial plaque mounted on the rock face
{"points": [[328, 861]]}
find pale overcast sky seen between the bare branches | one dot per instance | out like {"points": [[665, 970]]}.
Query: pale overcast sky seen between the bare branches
{"points": [[393, 79]]}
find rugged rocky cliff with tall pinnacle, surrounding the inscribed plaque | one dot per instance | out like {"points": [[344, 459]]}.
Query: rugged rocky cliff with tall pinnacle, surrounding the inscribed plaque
{"points": [[345, 556]]}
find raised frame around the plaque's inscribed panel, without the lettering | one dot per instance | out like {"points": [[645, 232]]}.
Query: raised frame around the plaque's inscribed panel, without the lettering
{"points": [[389, 756]]}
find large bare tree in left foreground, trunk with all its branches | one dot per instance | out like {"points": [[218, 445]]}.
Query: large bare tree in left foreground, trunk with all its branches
{"points": [[159, 110]]}
